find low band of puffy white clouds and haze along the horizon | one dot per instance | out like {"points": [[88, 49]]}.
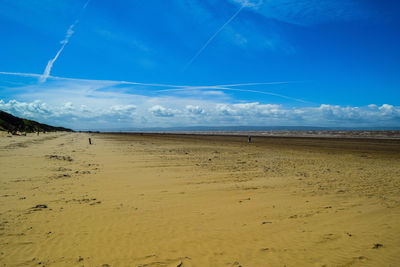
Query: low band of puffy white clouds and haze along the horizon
{"points": [[151, 112]]}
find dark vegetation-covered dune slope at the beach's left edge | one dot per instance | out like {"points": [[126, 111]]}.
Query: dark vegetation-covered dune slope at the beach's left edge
{"points": [[9, 122]]}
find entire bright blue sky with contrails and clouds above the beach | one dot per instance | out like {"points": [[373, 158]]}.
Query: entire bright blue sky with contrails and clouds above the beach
{"points": [[149, 63]]}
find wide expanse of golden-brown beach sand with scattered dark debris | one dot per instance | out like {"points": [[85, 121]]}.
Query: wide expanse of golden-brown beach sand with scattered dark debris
{"points": [[166, 200]]}
